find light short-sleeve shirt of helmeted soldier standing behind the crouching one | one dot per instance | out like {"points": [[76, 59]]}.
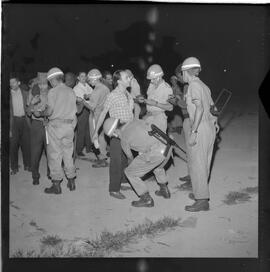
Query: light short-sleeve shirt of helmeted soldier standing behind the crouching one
{"points": [[159, 94]]}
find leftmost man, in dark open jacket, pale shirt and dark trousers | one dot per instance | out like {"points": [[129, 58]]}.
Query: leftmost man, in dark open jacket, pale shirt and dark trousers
{"points": [[19, 126]]}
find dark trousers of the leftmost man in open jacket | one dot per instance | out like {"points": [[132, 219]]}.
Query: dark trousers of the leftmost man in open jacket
{"points": [[20, 138]]}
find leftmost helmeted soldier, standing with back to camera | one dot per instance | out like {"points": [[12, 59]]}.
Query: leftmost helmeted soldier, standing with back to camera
{"points": [[61, 111]]}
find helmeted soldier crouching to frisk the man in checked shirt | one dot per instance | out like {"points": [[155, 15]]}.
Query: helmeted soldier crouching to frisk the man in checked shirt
{"points": [[134, 136]]}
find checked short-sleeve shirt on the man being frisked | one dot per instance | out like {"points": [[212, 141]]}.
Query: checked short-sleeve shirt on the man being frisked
{"points": [[120, 105]]}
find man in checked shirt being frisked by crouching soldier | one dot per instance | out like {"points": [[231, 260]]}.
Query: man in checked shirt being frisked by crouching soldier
{"points": [[119, 104]]}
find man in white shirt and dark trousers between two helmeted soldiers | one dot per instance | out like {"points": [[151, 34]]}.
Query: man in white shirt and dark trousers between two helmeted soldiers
{"points": [[83, 132]]}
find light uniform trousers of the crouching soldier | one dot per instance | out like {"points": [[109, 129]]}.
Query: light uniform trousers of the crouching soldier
{"points": [[144, 163]]}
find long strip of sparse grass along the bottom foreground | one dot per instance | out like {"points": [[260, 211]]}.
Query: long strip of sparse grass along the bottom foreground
{"points": [[106, 242]]}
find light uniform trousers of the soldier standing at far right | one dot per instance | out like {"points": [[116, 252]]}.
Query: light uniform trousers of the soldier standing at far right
{"points": [[200, 159]]}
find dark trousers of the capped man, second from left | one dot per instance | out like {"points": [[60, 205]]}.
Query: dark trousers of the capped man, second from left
{"points": [[38, 144]]}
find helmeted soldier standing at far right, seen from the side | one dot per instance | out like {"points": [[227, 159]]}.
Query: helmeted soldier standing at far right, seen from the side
{"points": [[202, 133]]}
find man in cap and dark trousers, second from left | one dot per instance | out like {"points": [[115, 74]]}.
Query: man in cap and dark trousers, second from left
{"points": [[38, 99]]}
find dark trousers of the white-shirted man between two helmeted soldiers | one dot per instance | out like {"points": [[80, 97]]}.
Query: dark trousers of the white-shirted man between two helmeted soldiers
{"points": [[83, 133]]}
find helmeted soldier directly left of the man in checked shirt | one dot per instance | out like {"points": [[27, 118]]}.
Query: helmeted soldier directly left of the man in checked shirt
{"points": [[95, 103]]}
